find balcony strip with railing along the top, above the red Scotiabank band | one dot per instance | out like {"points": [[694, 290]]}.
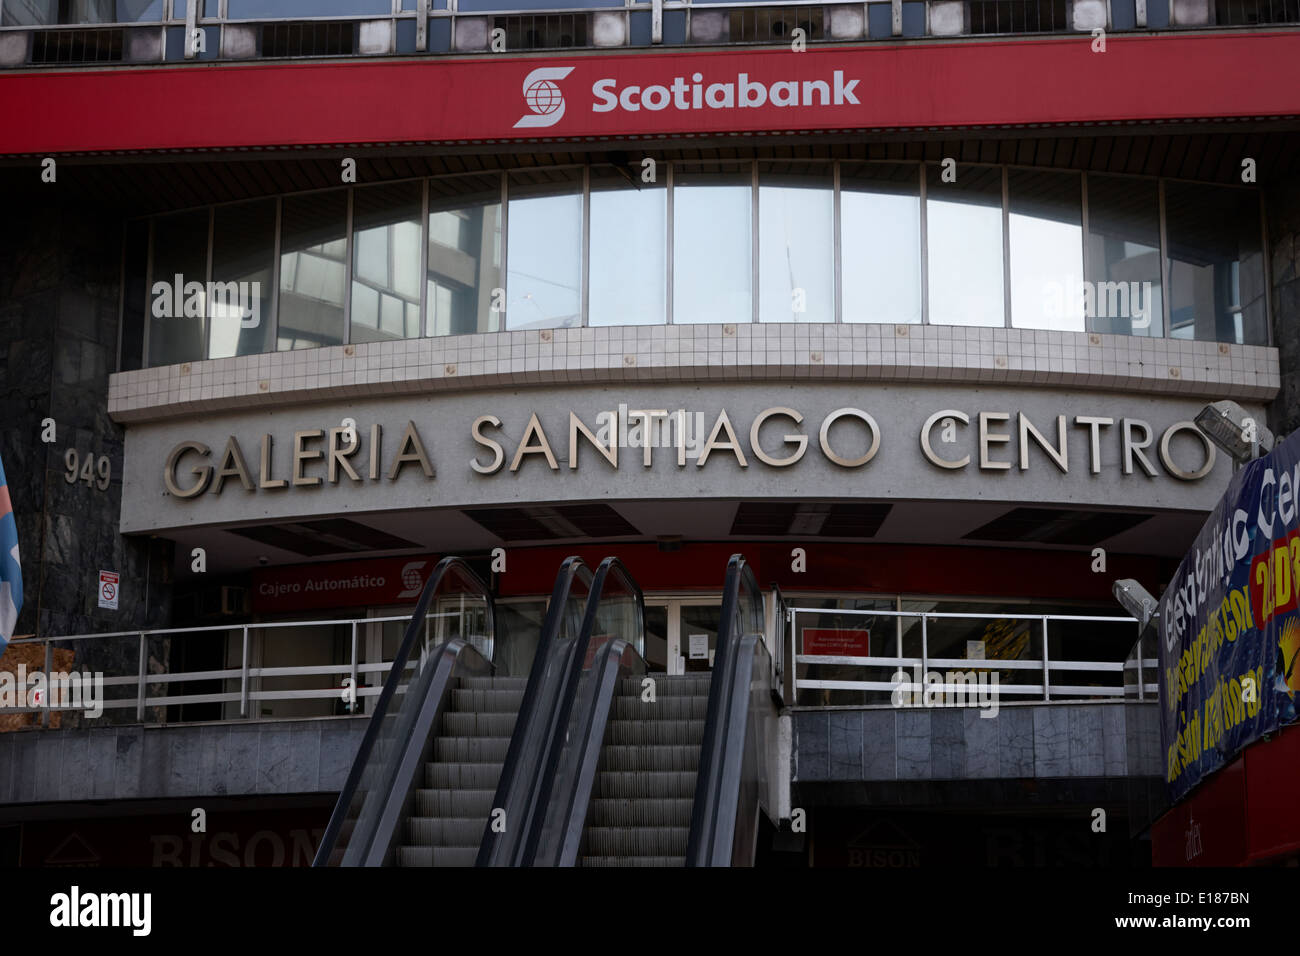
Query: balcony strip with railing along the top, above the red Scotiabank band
{"points": [[441, 27]]}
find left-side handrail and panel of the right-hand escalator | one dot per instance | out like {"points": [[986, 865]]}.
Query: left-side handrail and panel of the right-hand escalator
{"points": [[595, 698]]}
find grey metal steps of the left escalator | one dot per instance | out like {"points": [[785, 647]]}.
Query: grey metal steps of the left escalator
{"points": [[453, 808]]}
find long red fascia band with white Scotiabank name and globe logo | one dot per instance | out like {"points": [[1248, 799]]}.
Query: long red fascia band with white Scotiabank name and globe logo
{"points": [[679, 93]]}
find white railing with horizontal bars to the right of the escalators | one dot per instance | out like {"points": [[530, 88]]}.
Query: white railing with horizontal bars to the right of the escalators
{"points": [[1030, 671]]}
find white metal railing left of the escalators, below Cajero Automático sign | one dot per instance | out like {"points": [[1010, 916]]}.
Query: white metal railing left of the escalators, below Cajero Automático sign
{"points": [[144, 689]]}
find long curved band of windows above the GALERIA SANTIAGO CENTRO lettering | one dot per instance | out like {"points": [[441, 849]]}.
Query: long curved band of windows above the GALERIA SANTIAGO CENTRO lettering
{"points": [[701, 243]]}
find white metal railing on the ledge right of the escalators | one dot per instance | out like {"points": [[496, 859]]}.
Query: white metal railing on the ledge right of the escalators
{"points": [[1117, 678]]}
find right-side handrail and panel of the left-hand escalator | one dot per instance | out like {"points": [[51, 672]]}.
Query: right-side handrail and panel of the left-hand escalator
{"points": [[522, 773]]}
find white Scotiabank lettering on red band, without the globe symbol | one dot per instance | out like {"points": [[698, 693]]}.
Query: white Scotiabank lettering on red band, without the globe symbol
{"points": [[740, 94]]}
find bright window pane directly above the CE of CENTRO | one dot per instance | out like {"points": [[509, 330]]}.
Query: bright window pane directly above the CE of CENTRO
{"points": [[965, 237]]}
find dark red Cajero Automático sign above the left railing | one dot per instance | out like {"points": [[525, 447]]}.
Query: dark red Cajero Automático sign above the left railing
{"points": [[341, 585]]}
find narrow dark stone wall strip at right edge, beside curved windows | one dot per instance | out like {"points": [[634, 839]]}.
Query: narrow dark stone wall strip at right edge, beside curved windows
{"points": [[1282, 210]]}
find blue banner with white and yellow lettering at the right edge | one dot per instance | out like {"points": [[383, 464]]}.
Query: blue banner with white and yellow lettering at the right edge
{"points": [[1229, 624]]}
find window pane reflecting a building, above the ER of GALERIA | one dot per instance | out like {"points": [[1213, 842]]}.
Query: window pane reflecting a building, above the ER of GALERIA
{"points": [[313, 270]]}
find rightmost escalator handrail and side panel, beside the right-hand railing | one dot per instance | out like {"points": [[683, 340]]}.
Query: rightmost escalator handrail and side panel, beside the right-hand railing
{"points": [[709, 824]]}
